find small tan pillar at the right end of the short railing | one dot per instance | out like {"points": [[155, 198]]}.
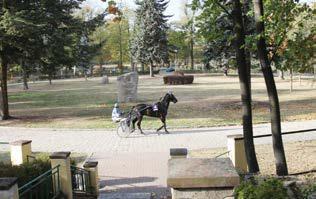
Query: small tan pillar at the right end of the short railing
{"points": [[92, 167]]}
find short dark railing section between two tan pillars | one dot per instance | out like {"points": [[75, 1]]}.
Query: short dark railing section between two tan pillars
{"points": [[81, 182]]}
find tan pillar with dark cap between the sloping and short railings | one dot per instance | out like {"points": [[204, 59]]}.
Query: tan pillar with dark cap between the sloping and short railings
{"points": [[63, 160]]}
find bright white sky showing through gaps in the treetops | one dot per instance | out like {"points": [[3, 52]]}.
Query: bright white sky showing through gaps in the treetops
{"points": [[174, 8]]}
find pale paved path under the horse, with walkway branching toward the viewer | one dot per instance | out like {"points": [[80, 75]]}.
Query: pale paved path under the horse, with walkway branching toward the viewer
{"points": [[138, 163]]}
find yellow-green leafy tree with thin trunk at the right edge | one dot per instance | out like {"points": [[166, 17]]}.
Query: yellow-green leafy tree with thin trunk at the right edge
{"points": [[297, 52]]}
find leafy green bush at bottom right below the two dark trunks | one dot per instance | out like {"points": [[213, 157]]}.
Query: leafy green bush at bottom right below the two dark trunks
{"points": [[270, 188]]}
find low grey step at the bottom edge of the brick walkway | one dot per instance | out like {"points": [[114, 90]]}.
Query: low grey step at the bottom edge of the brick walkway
{"points": [[126, 196]]}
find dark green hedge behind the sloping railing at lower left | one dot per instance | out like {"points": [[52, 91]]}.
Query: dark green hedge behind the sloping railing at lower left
{"points": [[25, 172]]}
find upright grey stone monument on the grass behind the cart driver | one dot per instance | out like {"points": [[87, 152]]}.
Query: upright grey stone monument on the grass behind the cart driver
{"points": [[127, 87]]}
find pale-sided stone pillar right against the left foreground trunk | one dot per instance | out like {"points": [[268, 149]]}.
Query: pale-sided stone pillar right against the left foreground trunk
{"points": [[237, 154]]}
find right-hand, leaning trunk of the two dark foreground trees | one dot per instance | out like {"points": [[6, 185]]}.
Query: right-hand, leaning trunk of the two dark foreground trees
{"points": [[280, 161]]}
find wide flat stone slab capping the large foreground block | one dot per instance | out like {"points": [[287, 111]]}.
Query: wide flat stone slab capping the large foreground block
{"points": [[201, 173]]}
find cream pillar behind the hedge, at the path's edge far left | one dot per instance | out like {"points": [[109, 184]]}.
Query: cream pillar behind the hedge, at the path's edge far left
{"points": [[20, 150]]}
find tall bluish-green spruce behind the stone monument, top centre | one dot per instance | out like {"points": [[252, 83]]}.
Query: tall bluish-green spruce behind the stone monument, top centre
{"points": [[150, 44]]}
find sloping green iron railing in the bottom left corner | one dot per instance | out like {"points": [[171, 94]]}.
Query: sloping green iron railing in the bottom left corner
{"points": [[45, 186]]}
